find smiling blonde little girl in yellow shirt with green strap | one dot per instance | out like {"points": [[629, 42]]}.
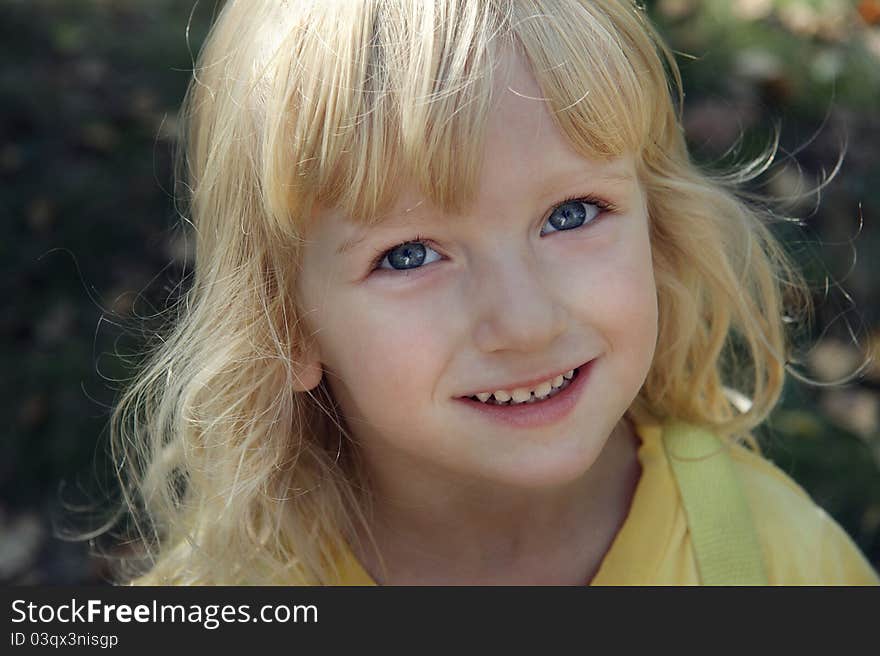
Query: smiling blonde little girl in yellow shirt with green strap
{"points": [[463, 312]]}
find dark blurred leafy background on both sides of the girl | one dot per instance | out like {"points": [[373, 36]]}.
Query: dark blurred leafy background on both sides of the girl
{"points": [[92, 247]]}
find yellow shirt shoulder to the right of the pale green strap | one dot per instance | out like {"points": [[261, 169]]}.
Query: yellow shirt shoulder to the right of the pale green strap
{"points": [[802, 544]]}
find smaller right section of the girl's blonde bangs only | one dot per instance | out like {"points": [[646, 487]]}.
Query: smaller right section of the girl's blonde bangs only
{"points": [[591, 59]]}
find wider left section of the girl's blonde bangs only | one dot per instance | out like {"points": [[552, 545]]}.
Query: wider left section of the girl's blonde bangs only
{"points": [[407, 97]]}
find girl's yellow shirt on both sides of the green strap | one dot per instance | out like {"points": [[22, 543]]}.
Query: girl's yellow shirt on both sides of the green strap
{"points": [[800, 542]]}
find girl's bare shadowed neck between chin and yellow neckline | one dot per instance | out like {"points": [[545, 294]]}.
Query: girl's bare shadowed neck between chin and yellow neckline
{"points": [[485, 534]]}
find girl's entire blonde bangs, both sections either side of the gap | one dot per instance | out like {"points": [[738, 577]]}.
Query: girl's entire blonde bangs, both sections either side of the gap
{"points": [[405, 93]]}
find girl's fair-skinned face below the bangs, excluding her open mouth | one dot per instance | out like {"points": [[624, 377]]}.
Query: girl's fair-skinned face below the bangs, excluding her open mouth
{"points": [[497, 294]]}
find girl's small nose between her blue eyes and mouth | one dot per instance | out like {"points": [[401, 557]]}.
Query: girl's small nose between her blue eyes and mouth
{"points": [[516, 305]]}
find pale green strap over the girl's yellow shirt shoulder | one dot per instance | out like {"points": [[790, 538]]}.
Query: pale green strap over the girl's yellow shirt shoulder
{"points": [[719, 520]]}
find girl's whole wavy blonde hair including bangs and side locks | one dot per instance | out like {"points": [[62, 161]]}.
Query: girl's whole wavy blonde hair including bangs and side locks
{"points": [[232, 476]]}
